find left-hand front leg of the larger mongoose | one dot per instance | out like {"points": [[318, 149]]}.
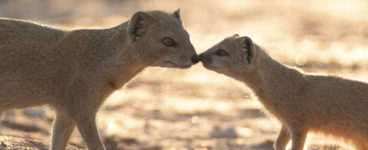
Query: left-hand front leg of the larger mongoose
{"points": [[62, 129]]}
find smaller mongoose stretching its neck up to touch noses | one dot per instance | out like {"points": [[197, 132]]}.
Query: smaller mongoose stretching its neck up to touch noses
{"points": [[302, 102]]}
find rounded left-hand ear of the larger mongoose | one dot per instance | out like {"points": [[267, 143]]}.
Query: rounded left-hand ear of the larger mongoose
{"points": [[139, 24]]}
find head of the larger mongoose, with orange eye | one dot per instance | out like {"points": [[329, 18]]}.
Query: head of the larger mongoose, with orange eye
{"points": [[159, 39]]}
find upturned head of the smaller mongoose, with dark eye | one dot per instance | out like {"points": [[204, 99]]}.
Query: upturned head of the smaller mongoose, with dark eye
{"points": [[231, 56]]}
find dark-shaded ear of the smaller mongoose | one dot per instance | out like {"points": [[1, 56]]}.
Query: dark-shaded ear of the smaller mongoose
{"points": [[247, 48]]}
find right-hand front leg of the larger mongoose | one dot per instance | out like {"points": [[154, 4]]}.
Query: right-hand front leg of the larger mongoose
{"points": [[87, 127]]}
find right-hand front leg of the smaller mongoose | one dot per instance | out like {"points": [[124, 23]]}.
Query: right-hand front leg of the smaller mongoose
{"points": [[298, 138]]}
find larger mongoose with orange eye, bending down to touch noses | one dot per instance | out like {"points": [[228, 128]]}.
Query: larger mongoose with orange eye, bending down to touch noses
{"points": [[73, 71]]}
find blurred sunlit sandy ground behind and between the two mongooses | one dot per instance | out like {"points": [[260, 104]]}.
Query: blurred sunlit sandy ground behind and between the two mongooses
{"points": [[196, 109]]}
